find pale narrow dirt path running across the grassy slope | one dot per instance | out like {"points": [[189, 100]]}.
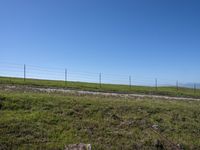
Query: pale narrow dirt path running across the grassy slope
{"points": [[50, 90]]}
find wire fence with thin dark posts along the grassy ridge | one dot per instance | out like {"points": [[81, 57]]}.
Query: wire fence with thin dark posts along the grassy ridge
{"points": [[65, 74]]}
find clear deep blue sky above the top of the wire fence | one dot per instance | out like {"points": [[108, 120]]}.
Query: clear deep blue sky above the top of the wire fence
{"points": [[143, 38]]}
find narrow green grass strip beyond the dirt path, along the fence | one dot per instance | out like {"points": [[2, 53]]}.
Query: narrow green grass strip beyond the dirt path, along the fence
{"points": [[168, 91]]}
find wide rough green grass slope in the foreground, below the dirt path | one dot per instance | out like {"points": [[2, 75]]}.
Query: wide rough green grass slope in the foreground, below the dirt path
{"points": [[33, 120]]}
